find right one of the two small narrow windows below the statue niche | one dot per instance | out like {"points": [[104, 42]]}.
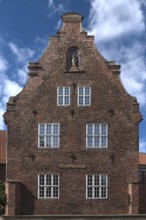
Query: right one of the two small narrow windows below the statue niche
{"points": [[84, 96]]}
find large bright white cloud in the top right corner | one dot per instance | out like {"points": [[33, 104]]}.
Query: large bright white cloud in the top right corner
{"points": [[110, 19]]}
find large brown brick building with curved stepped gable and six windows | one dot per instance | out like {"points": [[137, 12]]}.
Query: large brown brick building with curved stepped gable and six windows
{"points": [[72, 133]]}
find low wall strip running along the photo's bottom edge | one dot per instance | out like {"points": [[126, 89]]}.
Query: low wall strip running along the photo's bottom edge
{"points": [[67, 217]]}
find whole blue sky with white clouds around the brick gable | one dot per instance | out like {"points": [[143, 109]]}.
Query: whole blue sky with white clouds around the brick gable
{"points": [[119, 28]]}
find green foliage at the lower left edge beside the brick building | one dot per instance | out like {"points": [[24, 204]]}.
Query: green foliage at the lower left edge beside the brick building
{"points": [[2, 198]]}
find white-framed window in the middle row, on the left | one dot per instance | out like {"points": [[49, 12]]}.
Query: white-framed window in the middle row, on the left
{"points": [[48, 135]]}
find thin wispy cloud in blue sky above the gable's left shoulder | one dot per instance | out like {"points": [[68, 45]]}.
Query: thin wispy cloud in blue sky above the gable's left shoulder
{"points": [[21, 54]]}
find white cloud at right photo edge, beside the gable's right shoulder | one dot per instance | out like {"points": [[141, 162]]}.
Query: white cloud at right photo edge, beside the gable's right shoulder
{"points": [[134, 72]]}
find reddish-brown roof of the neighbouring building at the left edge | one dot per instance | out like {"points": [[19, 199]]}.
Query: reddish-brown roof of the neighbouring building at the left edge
{"points": [[3, 144]]}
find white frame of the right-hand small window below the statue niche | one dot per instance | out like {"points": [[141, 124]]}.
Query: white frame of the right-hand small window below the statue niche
{"points": [[84, 96]]}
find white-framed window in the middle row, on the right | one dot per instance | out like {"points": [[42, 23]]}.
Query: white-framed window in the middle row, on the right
{"points": [[96, 135]]}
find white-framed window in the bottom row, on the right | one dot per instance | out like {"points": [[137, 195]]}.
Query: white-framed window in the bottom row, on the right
{"points": [[97, 186]]}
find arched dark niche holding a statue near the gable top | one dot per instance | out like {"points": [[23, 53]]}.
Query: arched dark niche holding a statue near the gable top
{"points": [[72, 58]]}
